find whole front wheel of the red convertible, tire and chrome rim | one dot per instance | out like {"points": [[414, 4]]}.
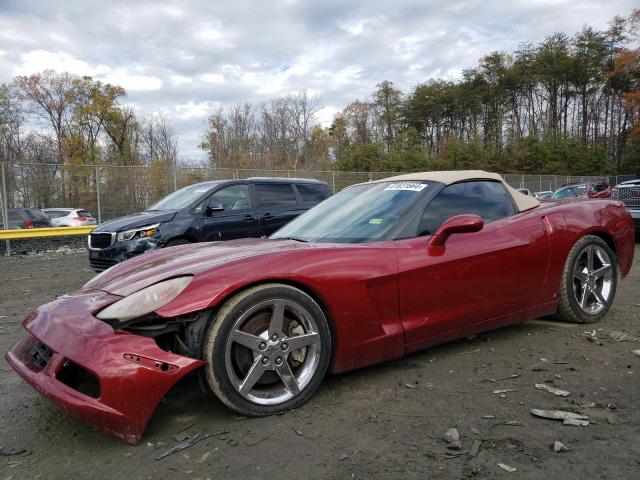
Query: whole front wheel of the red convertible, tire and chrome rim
{"points": [[267, 350]]}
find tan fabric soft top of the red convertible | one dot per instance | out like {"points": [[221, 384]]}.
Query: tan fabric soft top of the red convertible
{"points": [[522, 201]]}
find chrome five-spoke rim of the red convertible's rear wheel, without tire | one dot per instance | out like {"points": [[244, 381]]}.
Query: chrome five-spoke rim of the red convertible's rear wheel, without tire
{"points": [[593, 279]]}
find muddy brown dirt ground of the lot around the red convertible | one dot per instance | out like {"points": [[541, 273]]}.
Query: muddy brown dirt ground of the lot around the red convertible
{"points": [[386, 421]]}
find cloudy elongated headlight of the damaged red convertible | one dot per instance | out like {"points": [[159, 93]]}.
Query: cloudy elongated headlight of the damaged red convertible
{"points": [[146, 300]]}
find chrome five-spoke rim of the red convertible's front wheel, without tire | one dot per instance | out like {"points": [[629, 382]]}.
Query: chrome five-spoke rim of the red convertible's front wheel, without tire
{"points": [[273, 351]]}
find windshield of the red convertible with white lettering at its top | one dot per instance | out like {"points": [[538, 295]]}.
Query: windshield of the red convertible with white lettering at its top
{"points": [[362, 213]]}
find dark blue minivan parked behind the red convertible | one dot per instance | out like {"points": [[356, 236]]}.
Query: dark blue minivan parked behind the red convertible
{"points": [[205, 212]]}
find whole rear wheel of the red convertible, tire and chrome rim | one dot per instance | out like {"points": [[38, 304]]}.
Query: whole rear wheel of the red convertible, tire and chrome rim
{"points": [[589, 281]]}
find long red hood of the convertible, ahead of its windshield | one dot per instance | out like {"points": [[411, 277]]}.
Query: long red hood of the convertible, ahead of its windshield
{"points": [[139, 272]]}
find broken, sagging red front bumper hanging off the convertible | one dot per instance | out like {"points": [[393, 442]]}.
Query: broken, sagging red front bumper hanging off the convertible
{"points": [[130, 373]]}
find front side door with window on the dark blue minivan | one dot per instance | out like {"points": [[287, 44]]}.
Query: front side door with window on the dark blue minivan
{"points": [[237, 220]]}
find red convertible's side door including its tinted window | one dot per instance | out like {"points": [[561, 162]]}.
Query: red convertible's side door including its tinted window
{"points": [[476, 277]]}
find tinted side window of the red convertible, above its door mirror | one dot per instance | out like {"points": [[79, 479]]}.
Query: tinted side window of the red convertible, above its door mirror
{"points": [[490, 200]]}
